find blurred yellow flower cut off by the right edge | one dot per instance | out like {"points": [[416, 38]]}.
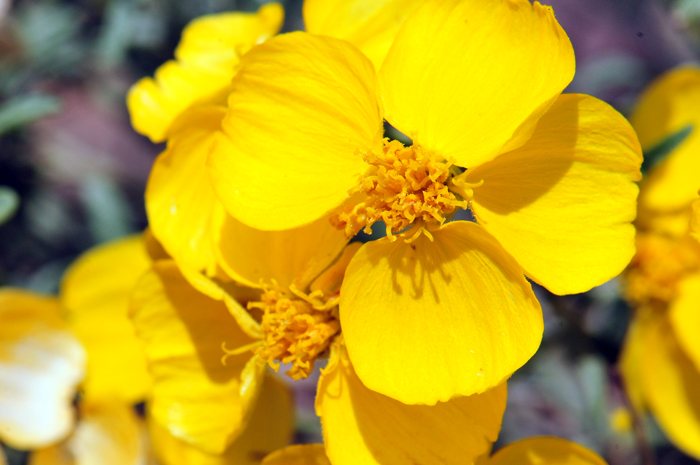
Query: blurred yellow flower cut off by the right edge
{"points": [[661, 356]]}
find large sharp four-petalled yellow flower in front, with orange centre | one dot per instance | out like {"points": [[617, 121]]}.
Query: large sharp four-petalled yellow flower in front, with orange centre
{"points": [[446, 310]]}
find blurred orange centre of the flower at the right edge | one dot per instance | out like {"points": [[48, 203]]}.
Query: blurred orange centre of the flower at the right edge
{"points": [[658, 267]]}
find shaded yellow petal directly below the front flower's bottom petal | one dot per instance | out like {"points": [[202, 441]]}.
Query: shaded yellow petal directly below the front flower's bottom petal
{"points": [[363, 426]]}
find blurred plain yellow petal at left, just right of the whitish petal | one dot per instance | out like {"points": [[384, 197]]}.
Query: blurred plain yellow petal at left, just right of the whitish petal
{"points": [[95, 293]]}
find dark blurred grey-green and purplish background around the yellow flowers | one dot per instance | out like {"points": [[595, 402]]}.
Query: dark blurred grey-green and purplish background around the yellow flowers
{"points": [[73, 172]]}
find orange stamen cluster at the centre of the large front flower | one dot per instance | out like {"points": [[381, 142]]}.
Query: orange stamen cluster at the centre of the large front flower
{"points": [[403, 186]]}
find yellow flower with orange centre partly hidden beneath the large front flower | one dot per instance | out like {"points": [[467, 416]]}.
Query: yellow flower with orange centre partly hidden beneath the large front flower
{"points": [[291, 319]]}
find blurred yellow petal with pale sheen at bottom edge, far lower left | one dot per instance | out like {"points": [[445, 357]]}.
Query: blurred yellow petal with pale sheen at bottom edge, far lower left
{"points": [[109, 433]]}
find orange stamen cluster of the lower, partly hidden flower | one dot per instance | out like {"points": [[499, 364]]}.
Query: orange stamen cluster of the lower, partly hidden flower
{"points": [[298, 327]]}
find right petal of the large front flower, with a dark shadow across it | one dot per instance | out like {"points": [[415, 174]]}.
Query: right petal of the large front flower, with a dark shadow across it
{"points": [[562, 204]]}
